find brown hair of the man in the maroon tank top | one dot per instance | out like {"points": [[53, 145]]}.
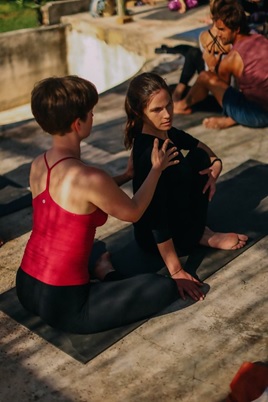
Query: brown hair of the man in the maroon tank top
{"points": [[232, 14]]}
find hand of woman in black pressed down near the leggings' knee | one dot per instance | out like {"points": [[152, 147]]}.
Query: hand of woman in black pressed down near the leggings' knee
{"points": [[187, 283]]}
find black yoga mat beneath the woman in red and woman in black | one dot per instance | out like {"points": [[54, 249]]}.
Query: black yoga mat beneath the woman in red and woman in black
{"points": [[240, 204]]}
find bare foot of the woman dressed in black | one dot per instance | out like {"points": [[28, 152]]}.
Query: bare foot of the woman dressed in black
{"points": [[223, 241]]}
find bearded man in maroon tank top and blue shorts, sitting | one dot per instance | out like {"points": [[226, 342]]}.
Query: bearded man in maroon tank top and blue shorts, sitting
{"points": [[246, 62]]}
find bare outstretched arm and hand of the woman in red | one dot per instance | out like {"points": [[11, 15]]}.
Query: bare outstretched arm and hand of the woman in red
{"points": [[106, 195]]}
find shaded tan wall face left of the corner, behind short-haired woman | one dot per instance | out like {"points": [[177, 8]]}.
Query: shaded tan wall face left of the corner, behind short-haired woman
{"points": [[27, 56]]}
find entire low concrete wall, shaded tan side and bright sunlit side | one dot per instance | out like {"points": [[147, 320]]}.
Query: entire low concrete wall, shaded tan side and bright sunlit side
{"points": [[76, 46]]}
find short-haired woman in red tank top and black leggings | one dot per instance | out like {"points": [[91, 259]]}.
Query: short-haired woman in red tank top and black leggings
{"points": [[70, 200]]}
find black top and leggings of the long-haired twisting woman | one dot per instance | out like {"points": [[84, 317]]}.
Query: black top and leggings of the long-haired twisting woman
{"points": [[179, 208]]}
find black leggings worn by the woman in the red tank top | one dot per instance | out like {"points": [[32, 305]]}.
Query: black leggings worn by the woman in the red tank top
{"points": [[97, 306]]}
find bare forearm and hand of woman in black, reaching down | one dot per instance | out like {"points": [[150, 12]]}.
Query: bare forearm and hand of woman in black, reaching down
{"points": [[185, 282]]}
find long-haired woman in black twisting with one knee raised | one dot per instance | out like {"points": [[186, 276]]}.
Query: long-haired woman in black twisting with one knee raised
{"points": [[175, 220]]}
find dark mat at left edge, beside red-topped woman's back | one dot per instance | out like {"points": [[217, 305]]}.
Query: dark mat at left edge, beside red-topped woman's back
{"points": [[13, 197]]}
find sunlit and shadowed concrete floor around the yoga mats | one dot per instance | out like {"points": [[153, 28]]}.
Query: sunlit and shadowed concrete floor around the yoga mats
{"points": [[190, 355]]}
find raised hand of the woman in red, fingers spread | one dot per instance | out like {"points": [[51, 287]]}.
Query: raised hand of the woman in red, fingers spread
{"points": [[163, 157]]}
